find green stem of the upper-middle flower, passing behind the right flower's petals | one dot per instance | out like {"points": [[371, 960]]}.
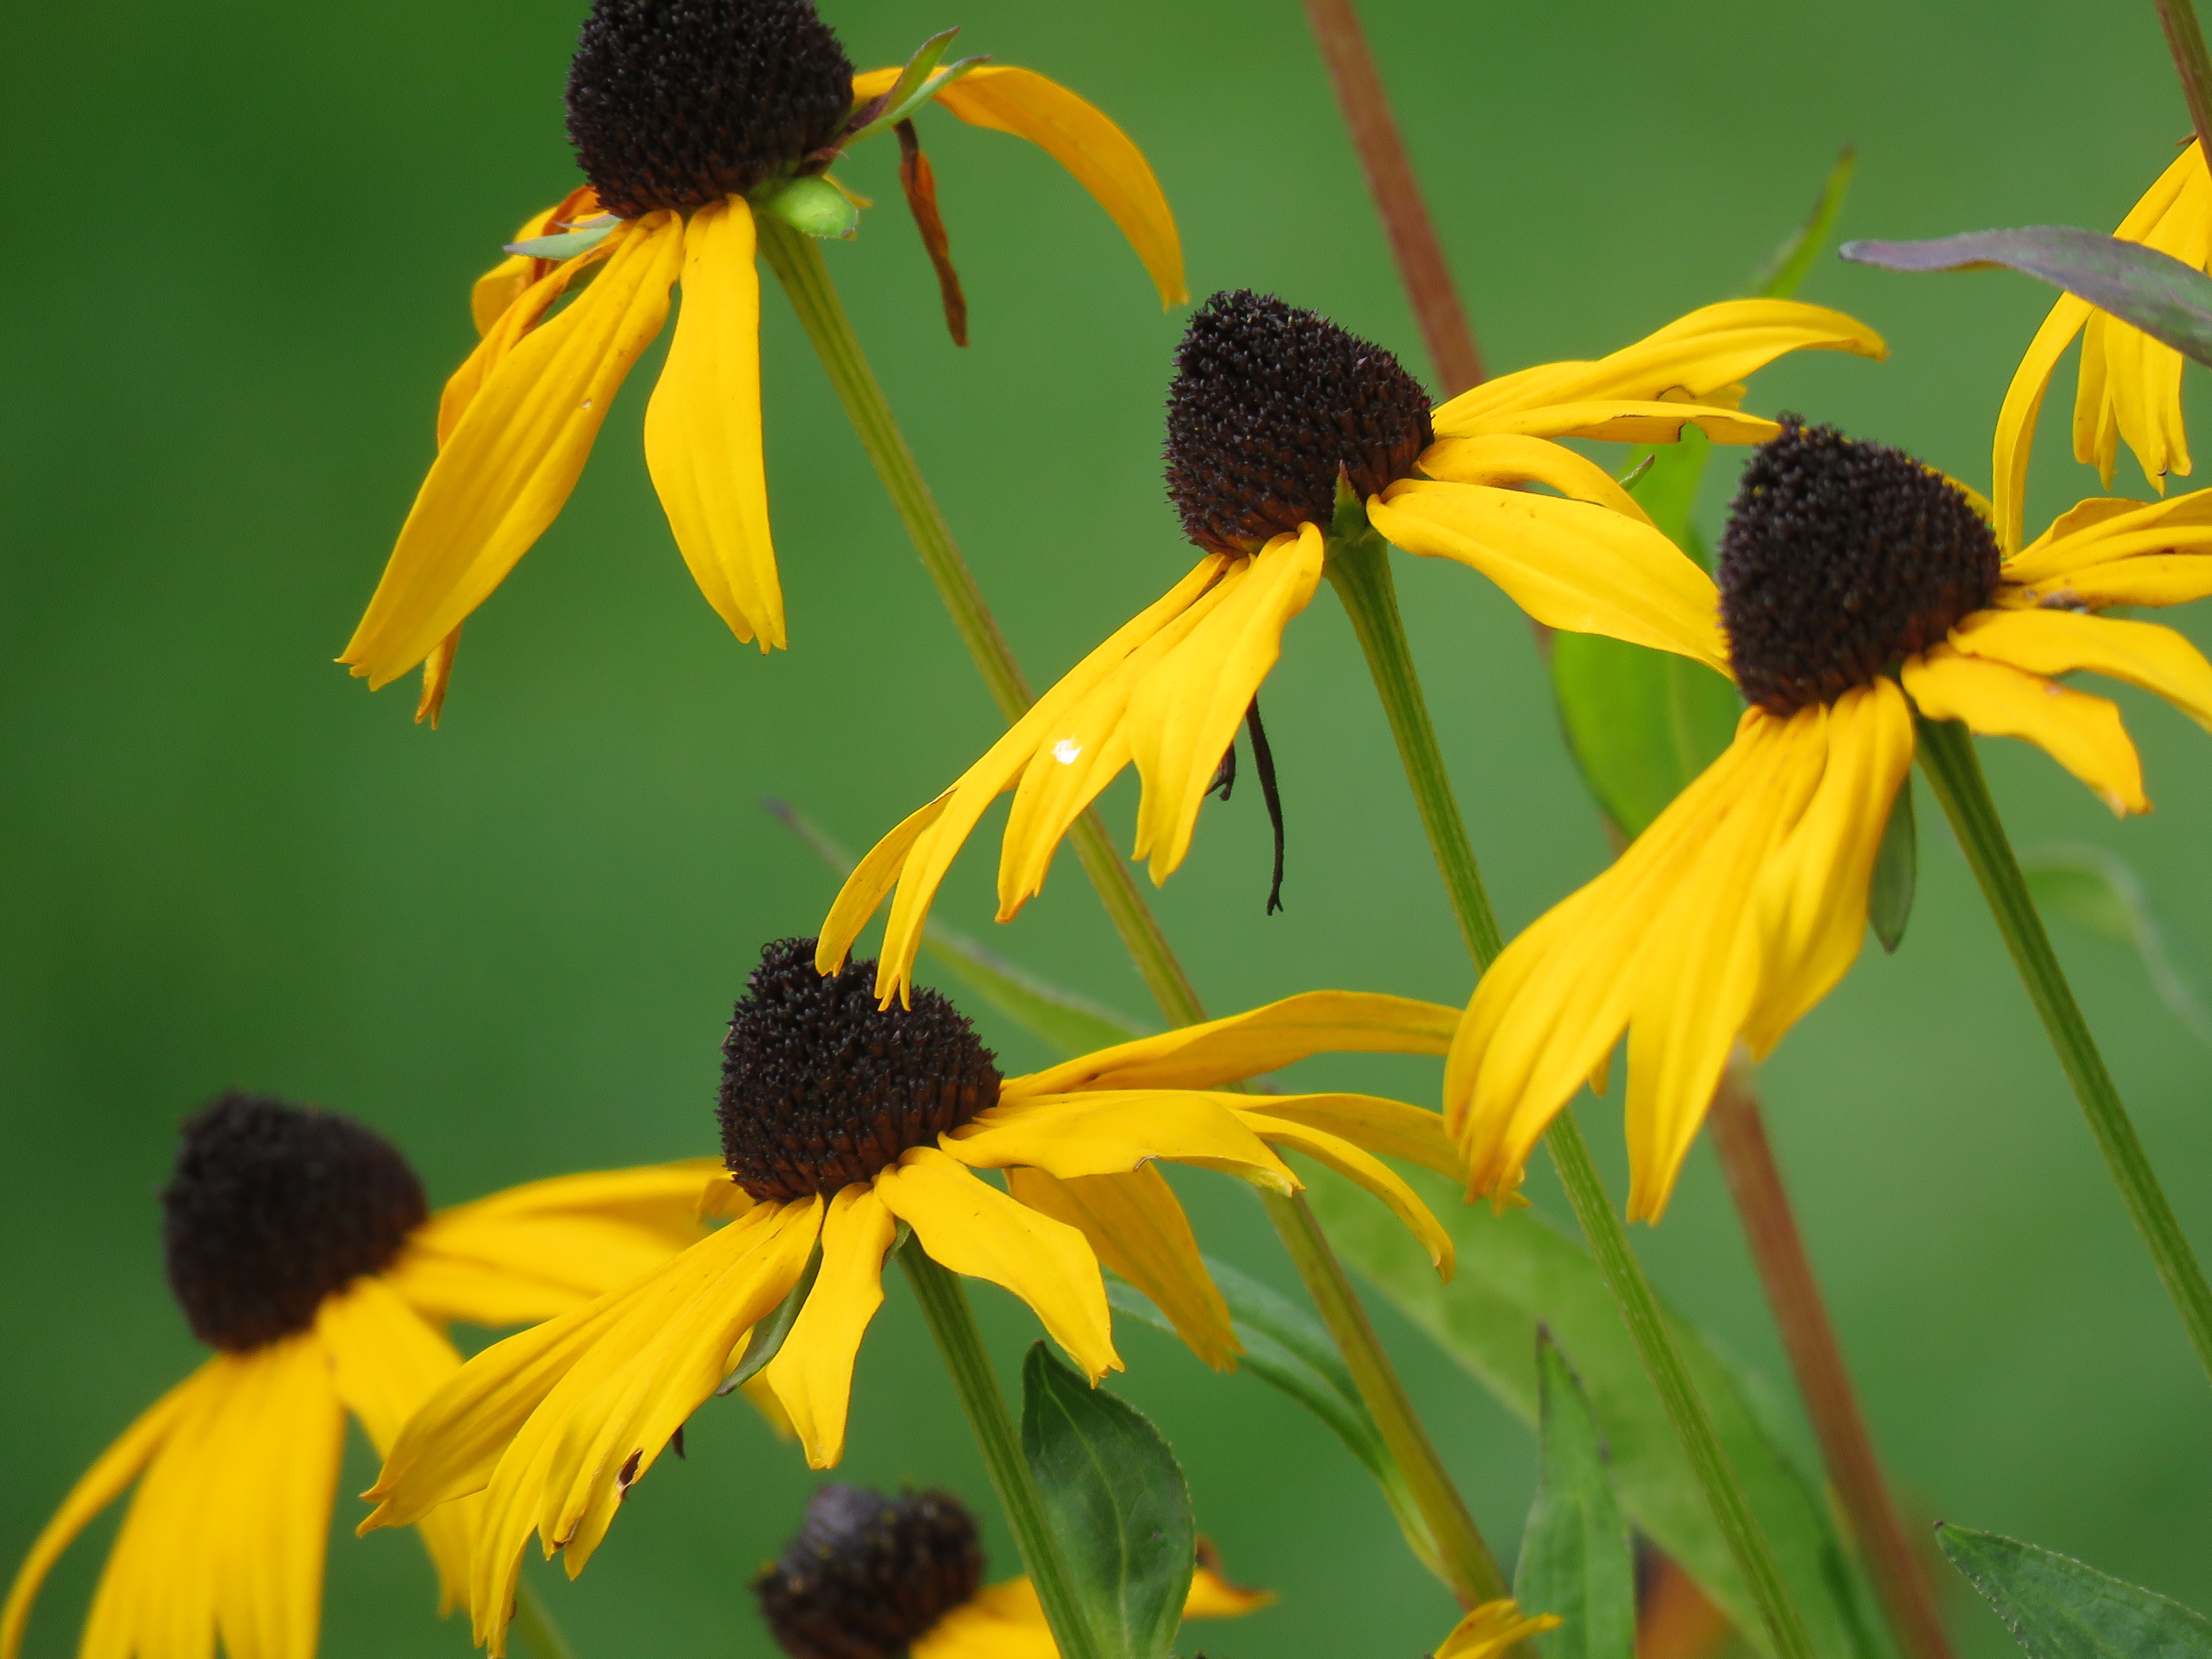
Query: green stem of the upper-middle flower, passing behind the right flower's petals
{"points": [[1359, 567]]}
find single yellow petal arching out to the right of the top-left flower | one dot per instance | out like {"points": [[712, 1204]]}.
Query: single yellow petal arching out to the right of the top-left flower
{"points": [[1087, 145]]}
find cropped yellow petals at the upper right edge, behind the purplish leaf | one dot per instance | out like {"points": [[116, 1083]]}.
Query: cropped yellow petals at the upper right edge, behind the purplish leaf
{"points": [[2129, 384]]}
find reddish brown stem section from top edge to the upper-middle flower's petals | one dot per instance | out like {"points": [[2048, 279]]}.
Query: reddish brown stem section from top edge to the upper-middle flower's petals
{"points": [[1390, 180]]}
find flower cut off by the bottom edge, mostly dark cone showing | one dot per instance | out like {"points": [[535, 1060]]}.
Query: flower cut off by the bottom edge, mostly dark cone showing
{"points": [[877, 1578]]}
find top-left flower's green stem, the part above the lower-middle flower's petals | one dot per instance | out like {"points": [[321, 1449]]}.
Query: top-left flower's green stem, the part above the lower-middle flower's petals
{"points": [[800, 267]]}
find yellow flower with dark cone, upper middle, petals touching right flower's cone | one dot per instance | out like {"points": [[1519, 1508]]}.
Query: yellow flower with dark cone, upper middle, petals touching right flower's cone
{"points": [[1271, 408]]}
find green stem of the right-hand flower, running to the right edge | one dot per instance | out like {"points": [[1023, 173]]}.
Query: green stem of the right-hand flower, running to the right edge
{"points": [[1957, 771]]}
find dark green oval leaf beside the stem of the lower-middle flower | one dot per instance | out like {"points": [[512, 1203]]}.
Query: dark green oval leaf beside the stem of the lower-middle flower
{"points": [[1118, 1505]]}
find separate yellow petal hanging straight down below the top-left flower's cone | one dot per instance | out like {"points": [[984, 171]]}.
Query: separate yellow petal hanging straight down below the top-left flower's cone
{"points": [[705, 428]]}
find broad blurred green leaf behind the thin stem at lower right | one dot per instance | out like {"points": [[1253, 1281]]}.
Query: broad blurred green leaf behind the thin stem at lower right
{"points": [[1488, 1319]]}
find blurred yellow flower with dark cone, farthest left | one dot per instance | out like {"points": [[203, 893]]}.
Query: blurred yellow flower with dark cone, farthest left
{"points": [[302, 1251]]}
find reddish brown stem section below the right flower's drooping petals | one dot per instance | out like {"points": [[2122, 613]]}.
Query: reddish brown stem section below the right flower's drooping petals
{"points": [[1740, 1136]]}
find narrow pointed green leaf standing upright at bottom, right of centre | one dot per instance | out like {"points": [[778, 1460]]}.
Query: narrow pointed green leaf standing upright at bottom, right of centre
{"points": [[1576, 1556]]}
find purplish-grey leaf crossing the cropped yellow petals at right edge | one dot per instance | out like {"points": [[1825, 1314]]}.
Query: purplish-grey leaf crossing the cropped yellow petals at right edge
{"points": [[2158, 293]]}
